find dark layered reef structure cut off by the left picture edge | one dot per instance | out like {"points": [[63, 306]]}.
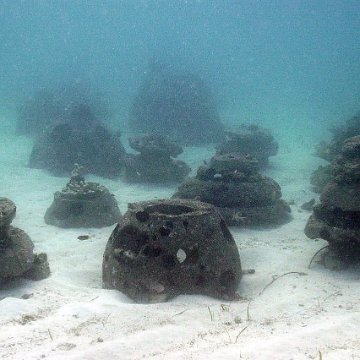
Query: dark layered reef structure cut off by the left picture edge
{"points": [[17, 258]]}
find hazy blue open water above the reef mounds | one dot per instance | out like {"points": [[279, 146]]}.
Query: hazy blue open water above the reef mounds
{"points": [[290, 64]]}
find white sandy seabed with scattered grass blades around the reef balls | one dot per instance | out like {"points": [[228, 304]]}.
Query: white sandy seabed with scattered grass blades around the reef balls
{"points": [[69, 315]]}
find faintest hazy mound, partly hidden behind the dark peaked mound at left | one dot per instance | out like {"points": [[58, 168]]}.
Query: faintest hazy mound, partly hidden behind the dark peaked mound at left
{"points": [[51, 105]]}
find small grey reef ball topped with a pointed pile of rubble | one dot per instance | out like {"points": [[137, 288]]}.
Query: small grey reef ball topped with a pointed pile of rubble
{"points": [[82, 204]]}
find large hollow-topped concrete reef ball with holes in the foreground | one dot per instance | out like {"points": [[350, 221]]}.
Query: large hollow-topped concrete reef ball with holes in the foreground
{"points": [[164, 248]]}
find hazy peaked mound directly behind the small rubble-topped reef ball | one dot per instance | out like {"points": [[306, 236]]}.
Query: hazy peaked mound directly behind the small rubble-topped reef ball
{"points": [[80, 138]]}
